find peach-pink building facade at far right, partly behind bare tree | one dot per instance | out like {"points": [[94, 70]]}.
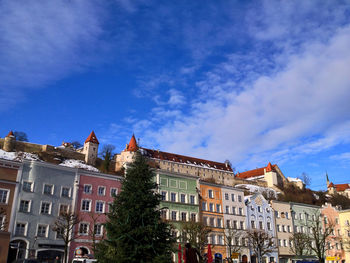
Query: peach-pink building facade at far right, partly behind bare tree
{"points": [[335, 251]]}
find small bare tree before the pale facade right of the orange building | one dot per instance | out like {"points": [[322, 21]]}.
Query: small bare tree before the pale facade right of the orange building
{"points": [[232, 237]]}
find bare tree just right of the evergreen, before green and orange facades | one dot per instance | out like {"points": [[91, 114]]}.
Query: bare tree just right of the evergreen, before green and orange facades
{"points": [[195, 233]]}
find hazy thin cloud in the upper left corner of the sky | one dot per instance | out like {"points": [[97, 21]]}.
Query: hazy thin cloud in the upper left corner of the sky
{"points": [[43, 41]]}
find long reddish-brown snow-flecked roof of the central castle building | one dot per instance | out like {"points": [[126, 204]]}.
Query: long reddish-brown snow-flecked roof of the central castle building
{"points": [[185, 159]]}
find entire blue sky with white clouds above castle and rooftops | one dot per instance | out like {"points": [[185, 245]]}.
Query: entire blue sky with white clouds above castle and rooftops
{"points": [[248, 81]]}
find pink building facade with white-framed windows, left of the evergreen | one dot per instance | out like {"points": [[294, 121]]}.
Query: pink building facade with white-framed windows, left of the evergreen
{"points": [[94, 193]]}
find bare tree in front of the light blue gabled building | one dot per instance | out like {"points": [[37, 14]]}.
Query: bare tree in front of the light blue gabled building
{"points": [[260, 242]]}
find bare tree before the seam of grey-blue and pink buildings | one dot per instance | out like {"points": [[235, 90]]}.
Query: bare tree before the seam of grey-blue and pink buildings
{"points": [[63, 226]]}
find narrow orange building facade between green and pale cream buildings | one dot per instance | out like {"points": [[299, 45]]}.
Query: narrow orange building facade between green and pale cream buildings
{"points": [[212, 216]]}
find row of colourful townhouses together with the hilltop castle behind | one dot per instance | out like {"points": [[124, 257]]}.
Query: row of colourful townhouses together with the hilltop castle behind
{"points": [[35, 188]]}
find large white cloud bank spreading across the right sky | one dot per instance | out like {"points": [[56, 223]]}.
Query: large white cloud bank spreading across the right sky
{"points": [[300, 108]]}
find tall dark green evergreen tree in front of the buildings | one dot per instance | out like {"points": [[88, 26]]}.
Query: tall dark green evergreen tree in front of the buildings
{"points": [[135, 232]]}
